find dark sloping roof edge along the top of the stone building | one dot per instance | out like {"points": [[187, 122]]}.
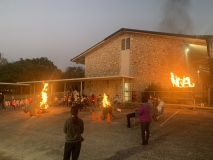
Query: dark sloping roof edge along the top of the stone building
{"points": [[81, 57]]}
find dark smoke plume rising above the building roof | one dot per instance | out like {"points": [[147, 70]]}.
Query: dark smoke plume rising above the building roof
{"points": [[176, 18]]}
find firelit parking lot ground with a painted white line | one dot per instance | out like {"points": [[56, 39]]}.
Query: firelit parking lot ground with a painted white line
{"points": [[184, 134]]}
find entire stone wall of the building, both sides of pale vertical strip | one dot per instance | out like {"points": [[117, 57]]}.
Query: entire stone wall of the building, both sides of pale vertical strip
{"points": [[152, 59]]}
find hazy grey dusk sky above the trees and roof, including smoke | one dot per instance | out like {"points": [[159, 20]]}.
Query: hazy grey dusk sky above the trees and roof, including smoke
{"points": [[62, 29]]}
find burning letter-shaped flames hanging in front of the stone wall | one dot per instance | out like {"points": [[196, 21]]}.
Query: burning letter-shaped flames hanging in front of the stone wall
{"points": [[181, 83]]}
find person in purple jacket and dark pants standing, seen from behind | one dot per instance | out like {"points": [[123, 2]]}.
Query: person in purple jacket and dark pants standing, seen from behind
{"points": [[144, 119]]}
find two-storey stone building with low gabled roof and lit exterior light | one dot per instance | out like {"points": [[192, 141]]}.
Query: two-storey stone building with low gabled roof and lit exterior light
{"points": [[130, 60]]}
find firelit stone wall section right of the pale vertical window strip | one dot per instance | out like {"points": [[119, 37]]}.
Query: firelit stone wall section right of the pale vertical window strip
{"points": [[153, 58]]}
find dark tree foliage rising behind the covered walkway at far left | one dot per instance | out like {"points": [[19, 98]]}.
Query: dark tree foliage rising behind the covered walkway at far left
{"points": [[37, 69]]}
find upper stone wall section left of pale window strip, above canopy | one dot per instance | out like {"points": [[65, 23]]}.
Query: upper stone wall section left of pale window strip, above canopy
{"points": [[104, 61]]}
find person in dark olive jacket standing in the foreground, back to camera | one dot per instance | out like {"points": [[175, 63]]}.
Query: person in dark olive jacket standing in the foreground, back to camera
{"points": [[73, 128]]}
